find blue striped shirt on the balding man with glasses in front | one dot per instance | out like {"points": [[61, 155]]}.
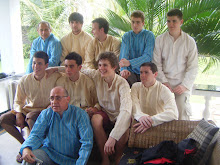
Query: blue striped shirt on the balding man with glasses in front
{"points": [[67, 140]]}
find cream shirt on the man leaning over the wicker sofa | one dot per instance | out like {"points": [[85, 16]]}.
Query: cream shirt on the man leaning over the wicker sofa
{"points": [[156, 101]]}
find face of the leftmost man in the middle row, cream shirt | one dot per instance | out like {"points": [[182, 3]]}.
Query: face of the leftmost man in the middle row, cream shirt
{"points": [[39, 66]]}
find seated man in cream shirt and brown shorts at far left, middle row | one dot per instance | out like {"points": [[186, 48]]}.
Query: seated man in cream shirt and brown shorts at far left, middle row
{"points": [[31, 98]]}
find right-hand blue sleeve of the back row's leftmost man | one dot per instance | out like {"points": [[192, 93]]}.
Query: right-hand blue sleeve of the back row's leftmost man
{"points": [[55, 52]]}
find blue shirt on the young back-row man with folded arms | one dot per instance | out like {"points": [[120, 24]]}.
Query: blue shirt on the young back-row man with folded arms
{"points": [[137, 48]]}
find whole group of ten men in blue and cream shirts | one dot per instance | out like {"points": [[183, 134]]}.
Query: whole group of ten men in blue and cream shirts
{"points": [[151, 93]]}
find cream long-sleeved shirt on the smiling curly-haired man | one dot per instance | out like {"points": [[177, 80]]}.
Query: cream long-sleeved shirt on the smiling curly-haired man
{"points": [[114, 100]]}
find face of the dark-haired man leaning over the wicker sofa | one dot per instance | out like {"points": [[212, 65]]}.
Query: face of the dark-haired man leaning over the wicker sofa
{"points": [[147, 76]]}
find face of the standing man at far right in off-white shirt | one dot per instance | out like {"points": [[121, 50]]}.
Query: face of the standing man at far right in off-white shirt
{"points": [[174, 24]]}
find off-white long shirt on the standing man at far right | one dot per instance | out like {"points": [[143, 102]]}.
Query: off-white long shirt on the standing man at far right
{"points": [[177, 61]]}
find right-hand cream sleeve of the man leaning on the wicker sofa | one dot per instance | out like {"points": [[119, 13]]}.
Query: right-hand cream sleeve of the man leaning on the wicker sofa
{"points": [[170, 111]]}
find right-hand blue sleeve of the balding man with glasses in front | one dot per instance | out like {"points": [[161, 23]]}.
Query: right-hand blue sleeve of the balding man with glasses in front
{"points": [[86, 139]]}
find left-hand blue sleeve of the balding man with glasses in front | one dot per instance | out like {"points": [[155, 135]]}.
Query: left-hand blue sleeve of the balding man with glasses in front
{"points": [[38, 132]]}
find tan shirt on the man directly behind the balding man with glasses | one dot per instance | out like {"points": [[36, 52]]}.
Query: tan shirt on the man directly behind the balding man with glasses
{"points": [[82, 92]]}
